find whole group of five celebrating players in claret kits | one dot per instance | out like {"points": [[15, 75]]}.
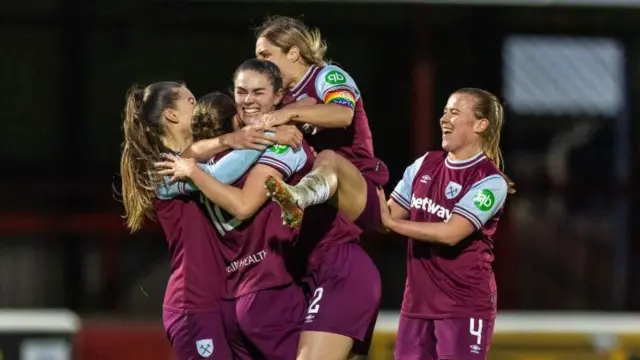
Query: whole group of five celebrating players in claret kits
{"points": [[263, 197]]}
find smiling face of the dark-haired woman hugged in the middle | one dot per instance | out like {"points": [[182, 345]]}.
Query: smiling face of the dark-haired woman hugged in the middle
{"points": [[254, 96]]}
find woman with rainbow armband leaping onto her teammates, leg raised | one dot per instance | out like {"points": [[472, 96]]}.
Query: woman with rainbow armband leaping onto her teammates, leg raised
{"points": [[346, 170]]}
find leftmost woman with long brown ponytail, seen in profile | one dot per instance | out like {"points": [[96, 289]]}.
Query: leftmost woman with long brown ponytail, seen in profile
{"points": [[158, 120]]}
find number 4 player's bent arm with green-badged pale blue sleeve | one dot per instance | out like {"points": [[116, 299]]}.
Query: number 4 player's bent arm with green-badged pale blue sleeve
{"points": [[477, 206]]}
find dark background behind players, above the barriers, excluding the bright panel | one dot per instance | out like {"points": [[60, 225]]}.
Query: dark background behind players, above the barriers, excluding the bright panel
{"points": [[65, 66]]}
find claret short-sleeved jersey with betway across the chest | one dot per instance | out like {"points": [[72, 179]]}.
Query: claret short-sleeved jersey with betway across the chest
{"points": [[458, 281]]}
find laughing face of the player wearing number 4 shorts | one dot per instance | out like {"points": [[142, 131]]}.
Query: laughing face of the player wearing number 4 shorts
{"points": [[460, 126]]}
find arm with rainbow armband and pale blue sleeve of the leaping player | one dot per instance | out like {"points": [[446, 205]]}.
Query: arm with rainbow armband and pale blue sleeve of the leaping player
{"points": [[339, 94]]}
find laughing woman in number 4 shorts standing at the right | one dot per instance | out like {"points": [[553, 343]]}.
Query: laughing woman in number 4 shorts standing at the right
{"points": [[449, 203]]}
